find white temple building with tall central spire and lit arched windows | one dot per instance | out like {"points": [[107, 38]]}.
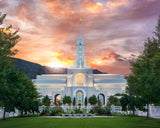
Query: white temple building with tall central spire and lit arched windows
{"points": [[80, 82]]}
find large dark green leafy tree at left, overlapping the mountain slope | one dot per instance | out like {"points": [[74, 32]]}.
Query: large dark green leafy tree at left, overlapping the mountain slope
{"points": [[12, 81]]}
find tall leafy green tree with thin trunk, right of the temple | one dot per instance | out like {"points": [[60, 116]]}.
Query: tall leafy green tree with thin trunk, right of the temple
{"points": [[145, 78]]}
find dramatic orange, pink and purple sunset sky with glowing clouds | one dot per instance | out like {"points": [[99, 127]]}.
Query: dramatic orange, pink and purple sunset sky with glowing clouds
{"points": [[114, 30]]}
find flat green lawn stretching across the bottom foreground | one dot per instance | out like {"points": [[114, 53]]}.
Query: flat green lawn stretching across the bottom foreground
{"points": [[116, 122]]}
